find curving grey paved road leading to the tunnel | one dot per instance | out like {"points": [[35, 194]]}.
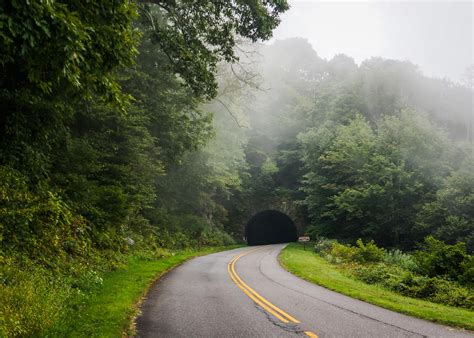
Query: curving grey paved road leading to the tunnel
{"points": [[207, 297]]}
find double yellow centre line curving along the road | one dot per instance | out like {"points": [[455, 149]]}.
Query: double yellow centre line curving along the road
{"points": [[257, 298]]}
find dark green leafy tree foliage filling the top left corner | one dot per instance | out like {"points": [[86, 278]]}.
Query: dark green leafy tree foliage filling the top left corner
{"points": [[55, 53]]}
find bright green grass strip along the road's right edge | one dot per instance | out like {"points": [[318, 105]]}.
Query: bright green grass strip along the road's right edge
{"points": [[309, 266]]}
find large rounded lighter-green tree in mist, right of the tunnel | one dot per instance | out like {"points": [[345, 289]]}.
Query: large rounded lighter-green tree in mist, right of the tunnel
{"points": [[367, 183]]}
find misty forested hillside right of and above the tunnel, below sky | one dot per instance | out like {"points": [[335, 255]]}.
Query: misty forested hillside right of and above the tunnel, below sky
{"points": [[376, 151]]}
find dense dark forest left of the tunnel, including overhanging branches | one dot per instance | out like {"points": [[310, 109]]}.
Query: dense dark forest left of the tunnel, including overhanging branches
{"points": [[105, 134]]}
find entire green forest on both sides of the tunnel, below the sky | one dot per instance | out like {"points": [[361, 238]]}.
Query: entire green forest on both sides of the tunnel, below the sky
{"points": [[160, 124]]}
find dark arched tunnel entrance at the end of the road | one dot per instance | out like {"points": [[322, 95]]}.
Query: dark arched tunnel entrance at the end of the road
{"points": [[270, 227]]}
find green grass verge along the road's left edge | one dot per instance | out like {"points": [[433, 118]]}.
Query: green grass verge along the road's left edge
{"points": [[110, 310]]}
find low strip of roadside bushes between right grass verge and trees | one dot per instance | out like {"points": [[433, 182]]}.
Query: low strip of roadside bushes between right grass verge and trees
{"points": [[426, 275]]}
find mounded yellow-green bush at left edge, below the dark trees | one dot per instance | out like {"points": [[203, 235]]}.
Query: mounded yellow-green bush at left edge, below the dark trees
{"points": [[39, 224]]}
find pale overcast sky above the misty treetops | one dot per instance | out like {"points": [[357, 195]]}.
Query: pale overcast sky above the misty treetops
{"points": [[435, 35]]}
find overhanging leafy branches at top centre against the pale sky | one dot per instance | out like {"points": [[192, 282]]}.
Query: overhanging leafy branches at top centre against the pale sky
{"points": [[196, 35]]}
